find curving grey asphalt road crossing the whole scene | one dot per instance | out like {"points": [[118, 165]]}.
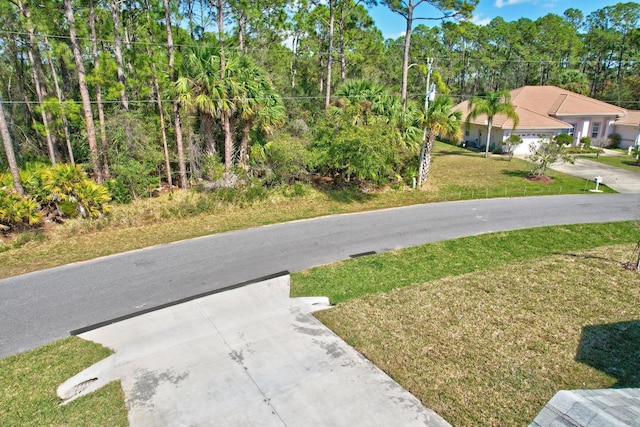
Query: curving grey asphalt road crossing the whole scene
{"points": [[40, 307]]}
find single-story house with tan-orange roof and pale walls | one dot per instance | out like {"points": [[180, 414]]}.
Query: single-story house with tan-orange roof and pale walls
{"points": [[544, 110]]}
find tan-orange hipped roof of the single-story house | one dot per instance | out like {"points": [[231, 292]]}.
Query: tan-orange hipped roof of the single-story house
{"points": [[543, 107]]}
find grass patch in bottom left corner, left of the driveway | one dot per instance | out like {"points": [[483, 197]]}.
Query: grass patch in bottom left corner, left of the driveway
{"points": [[28, 384]]}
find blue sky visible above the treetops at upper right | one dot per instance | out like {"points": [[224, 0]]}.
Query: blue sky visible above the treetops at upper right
{"points": [[393, 26]]}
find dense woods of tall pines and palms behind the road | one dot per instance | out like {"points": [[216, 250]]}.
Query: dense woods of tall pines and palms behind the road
{"points": [[146, 91]]}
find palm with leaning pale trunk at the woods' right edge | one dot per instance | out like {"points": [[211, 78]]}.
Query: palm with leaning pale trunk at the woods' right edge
{"points": [[441, 119]]}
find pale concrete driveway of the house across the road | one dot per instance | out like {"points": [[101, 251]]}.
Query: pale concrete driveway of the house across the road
{"points": [[621, 180]]}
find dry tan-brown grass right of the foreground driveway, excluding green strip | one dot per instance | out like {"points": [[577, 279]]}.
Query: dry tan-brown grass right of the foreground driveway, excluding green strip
{"points": [[491, 347]]}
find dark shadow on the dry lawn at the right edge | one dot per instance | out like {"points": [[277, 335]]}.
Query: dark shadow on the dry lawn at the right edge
{"points": [[613, 349]]}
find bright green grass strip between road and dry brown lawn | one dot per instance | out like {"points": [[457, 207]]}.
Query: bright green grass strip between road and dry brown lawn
{"points": [[379, 273]]}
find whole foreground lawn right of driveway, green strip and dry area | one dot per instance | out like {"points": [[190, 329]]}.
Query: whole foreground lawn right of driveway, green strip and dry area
{"points": [[486, 329]]}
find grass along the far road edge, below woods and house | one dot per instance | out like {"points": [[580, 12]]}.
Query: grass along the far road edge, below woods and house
{"points": [[456, 174]]}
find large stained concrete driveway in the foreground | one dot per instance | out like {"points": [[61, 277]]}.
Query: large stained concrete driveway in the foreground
{"points": [[250, 356]]}
